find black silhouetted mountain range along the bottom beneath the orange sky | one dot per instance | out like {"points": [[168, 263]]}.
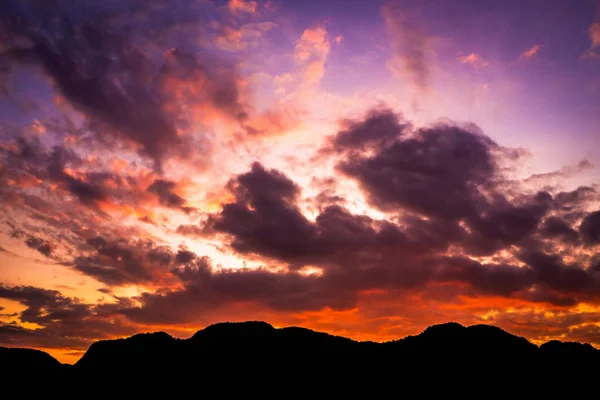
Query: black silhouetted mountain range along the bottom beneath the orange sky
{"points": [[229, 351]]}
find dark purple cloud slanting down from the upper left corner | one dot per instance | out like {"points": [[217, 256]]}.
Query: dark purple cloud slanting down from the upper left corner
{"points": [[101, 73]]}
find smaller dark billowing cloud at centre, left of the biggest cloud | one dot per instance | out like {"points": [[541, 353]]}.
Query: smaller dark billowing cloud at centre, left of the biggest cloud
{"points": [[266, 220]]}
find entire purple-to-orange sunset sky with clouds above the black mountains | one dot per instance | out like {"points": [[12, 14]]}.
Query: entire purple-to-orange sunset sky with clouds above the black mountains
{"points": [[362, 168]]}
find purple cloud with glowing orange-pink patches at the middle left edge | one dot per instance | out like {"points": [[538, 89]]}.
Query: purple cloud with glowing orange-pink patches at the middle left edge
{"points": [[61, 168]]}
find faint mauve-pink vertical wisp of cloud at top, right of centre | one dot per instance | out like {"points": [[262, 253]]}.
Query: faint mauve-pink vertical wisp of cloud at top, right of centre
{"points": [[410, 45]]}
